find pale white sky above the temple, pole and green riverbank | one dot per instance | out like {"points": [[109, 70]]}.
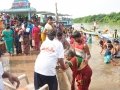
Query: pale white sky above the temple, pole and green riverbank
{"points": [[77, 8]]}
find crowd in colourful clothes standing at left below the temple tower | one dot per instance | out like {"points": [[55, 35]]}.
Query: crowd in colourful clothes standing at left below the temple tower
{"points": [[22, 34]]}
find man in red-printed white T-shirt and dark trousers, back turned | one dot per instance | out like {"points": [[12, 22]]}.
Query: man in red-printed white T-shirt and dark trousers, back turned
{"points": [[51, 53]]}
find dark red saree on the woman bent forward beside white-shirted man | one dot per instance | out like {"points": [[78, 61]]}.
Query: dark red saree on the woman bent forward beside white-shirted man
{"points": [[81, 78]]}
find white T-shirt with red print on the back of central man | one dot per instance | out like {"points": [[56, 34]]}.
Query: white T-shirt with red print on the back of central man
{"points": [[47, 59]]}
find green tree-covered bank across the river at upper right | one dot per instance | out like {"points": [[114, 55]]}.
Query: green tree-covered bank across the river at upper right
{"points": [[102, 18]]}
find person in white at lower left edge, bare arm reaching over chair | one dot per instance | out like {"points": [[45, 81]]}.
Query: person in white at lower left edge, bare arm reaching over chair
{"points": [[11, 78]]}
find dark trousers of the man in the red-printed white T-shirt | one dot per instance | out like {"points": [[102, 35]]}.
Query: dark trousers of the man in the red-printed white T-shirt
{"points": [[41, 80]]}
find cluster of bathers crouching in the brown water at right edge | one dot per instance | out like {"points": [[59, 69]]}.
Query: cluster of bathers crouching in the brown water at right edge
{"points": [[112, 50]]}
